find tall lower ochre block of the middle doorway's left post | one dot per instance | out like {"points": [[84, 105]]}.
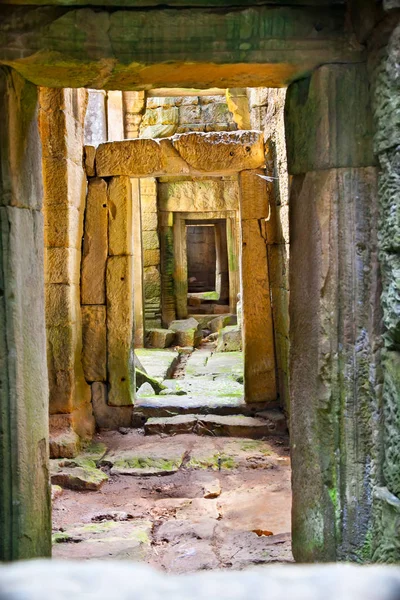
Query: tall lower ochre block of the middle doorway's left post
{"points": [[120, 332]]}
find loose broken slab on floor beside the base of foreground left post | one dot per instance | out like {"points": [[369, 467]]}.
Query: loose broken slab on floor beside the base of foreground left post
{"points": [[78, 474]]}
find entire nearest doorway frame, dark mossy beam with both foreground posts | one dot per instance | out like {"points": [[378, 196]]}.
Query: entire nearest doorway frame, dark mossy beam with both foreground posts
{"points": [[337, 372]]}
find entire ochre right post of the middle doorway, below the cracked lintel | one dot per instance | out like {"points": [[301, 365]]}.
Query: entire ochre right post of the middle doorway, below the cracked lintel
{"points": [[258, 338]]}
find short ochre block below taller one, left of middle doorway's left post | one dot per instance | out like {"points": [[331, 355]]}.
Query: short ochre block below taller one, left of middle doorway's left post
{"points": [[94, 343]]}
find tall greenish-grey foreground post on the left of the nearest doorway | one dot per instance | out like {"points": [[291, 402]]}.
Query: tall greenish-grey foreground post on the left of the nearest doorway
{"points": [[25, 521]]}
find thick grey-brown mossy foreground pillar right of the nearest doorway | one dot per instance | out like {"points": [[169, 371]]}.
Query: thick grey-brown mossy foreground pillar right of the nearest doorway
{"points": [[334, 314]]}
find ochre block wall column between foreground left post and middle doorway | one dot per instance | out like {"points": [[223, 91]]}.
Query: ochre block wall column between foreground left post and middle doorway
{"points": [[61, 120]]}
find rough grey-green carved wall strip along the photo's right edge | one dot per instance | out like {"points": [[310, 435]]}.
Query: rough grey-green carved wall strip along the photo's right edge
{"points": [[384, 56]]}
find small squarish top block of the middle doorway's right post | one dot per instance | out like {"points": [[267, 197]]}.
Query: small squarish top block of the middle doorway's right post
{"points": [[256, 194]]}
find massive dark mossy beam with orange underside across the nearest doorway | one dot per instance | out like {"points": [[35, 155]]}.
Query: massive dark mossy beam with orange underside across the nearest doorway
{"points": [[142, 49]]}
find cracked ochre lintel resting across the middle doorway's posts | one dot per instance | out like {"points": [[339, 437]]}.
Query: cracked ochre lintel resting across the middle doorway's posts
{"points": [[220, 153]]}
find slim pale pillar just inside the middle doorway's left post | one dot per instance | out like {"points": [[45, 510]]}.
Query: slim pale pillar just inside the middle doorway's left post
{"points": [[138, 300]]}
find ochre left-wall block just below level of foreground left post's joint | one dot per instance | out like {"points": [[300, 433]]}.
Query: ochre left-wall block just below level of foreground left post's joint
{"points": [[63, 227]]}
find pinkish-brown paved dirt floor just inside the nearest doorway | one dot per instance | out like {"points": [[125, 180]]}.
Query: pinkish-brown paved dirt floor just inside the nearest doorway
{"points": [[213, 503]]}
